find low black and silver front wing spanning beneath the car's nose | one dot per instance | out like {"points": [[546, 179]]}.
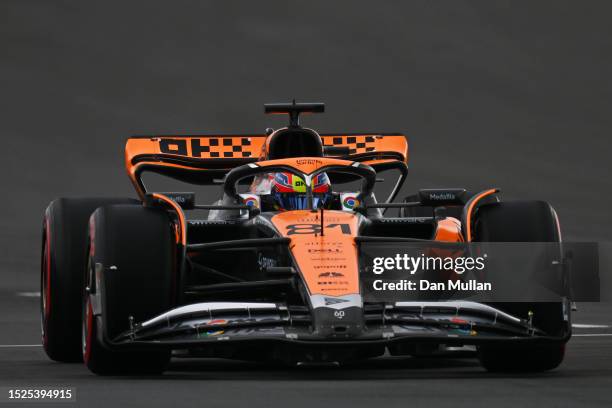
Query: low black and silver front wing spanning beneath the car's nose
{"points": [[448, 323]]}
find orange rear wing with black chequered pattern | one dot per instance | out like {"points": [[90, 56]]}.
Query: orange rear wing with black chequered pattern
{"points": [[205, 159]]}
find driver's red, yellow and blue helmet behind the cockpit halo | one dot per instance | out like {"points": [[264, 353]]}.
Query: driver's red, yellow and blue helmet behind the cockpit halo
{"points": [[289, 191]]}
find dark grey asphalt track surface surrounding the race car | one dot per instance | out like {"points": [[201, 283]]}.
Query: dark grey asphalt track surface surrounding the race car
{"points": [[511, 94]]}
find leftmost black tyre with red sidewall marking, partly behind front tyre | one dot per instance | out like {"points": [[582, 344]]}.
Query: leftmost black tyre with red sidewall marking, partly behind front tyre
{"points": [[62, 270]]}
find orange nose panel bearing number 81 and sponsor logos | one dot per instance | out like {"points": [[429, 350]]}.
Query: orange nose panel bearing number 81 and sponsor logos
{"points": [[328, 262]]}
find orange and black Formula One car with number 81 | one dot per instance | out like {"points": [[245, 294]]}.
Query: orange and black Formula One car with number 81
{"points": [[272, 270]]}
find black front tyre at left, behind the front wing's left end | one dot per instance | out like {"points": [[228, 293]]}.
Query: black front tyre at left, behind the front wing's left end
{"points": [[132, 249]]}
